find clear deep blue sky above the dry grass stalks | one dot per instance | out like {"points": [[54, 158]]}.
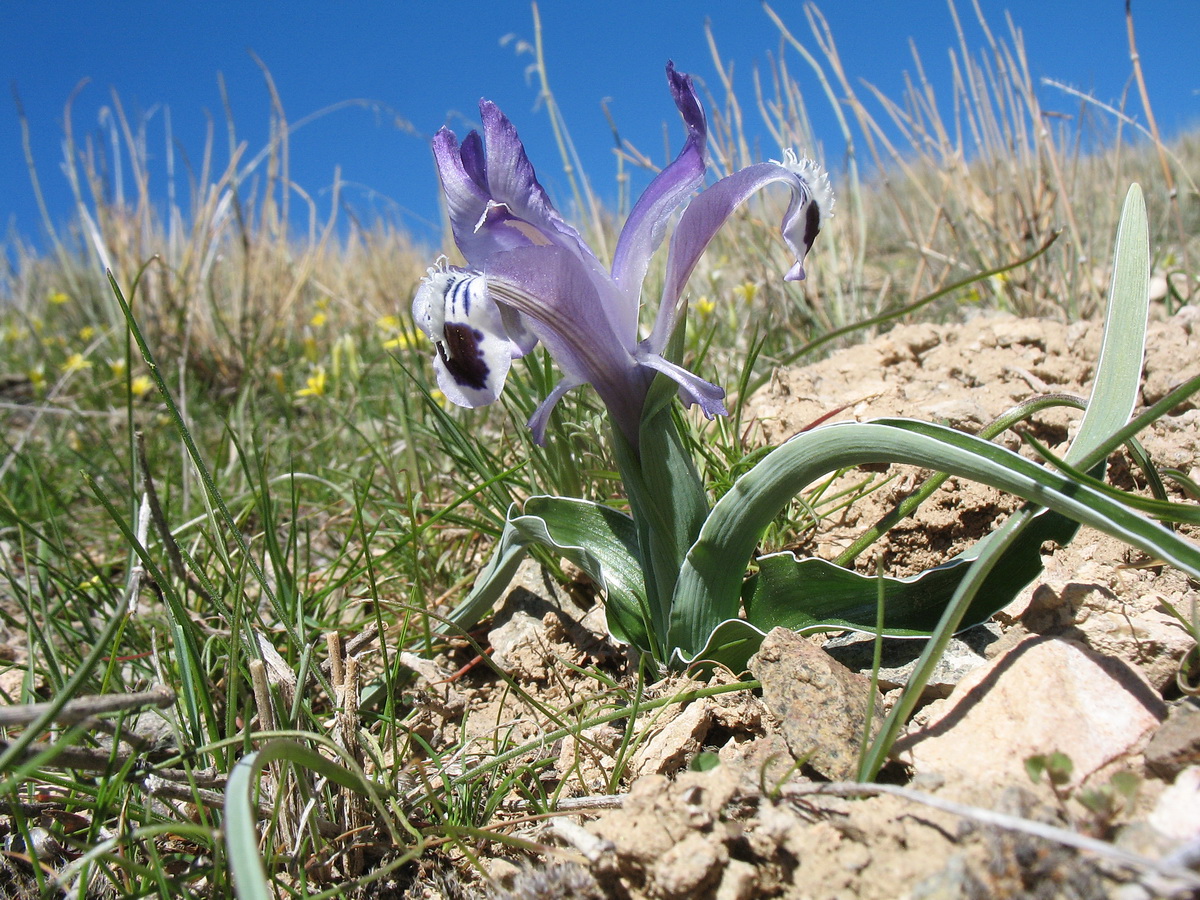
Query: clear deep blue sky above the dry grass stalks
{"points": [[421, 64]]}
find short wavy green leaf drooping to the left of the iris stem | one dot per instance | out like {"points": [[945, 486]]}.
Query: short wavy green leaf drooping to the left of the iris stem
{"points": [[597, 538]]}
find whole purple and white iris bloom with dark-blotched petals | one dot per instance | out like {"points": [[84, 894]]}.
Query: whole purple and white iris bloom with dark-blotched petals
{"points": [[531, 277]]}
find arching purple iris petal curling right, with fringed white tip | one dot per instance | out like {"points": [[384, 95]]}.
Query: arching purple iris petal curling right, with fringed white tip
{"points": [[811, 207]]}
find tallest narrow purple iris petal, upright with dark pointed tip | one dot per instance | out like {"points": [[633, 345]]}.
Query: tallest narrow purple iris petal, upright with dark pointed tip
{"points": [[647, 221]]}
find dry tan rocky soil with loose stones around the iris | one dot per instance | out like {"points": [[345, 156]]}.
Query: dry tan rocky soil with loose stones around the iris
{"points": [[1085, 664]]}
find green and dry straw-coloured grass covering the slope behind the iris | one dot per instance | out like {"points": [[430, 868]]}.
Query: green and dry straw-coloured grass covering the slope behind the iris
{"points": [[286, 478]]}
